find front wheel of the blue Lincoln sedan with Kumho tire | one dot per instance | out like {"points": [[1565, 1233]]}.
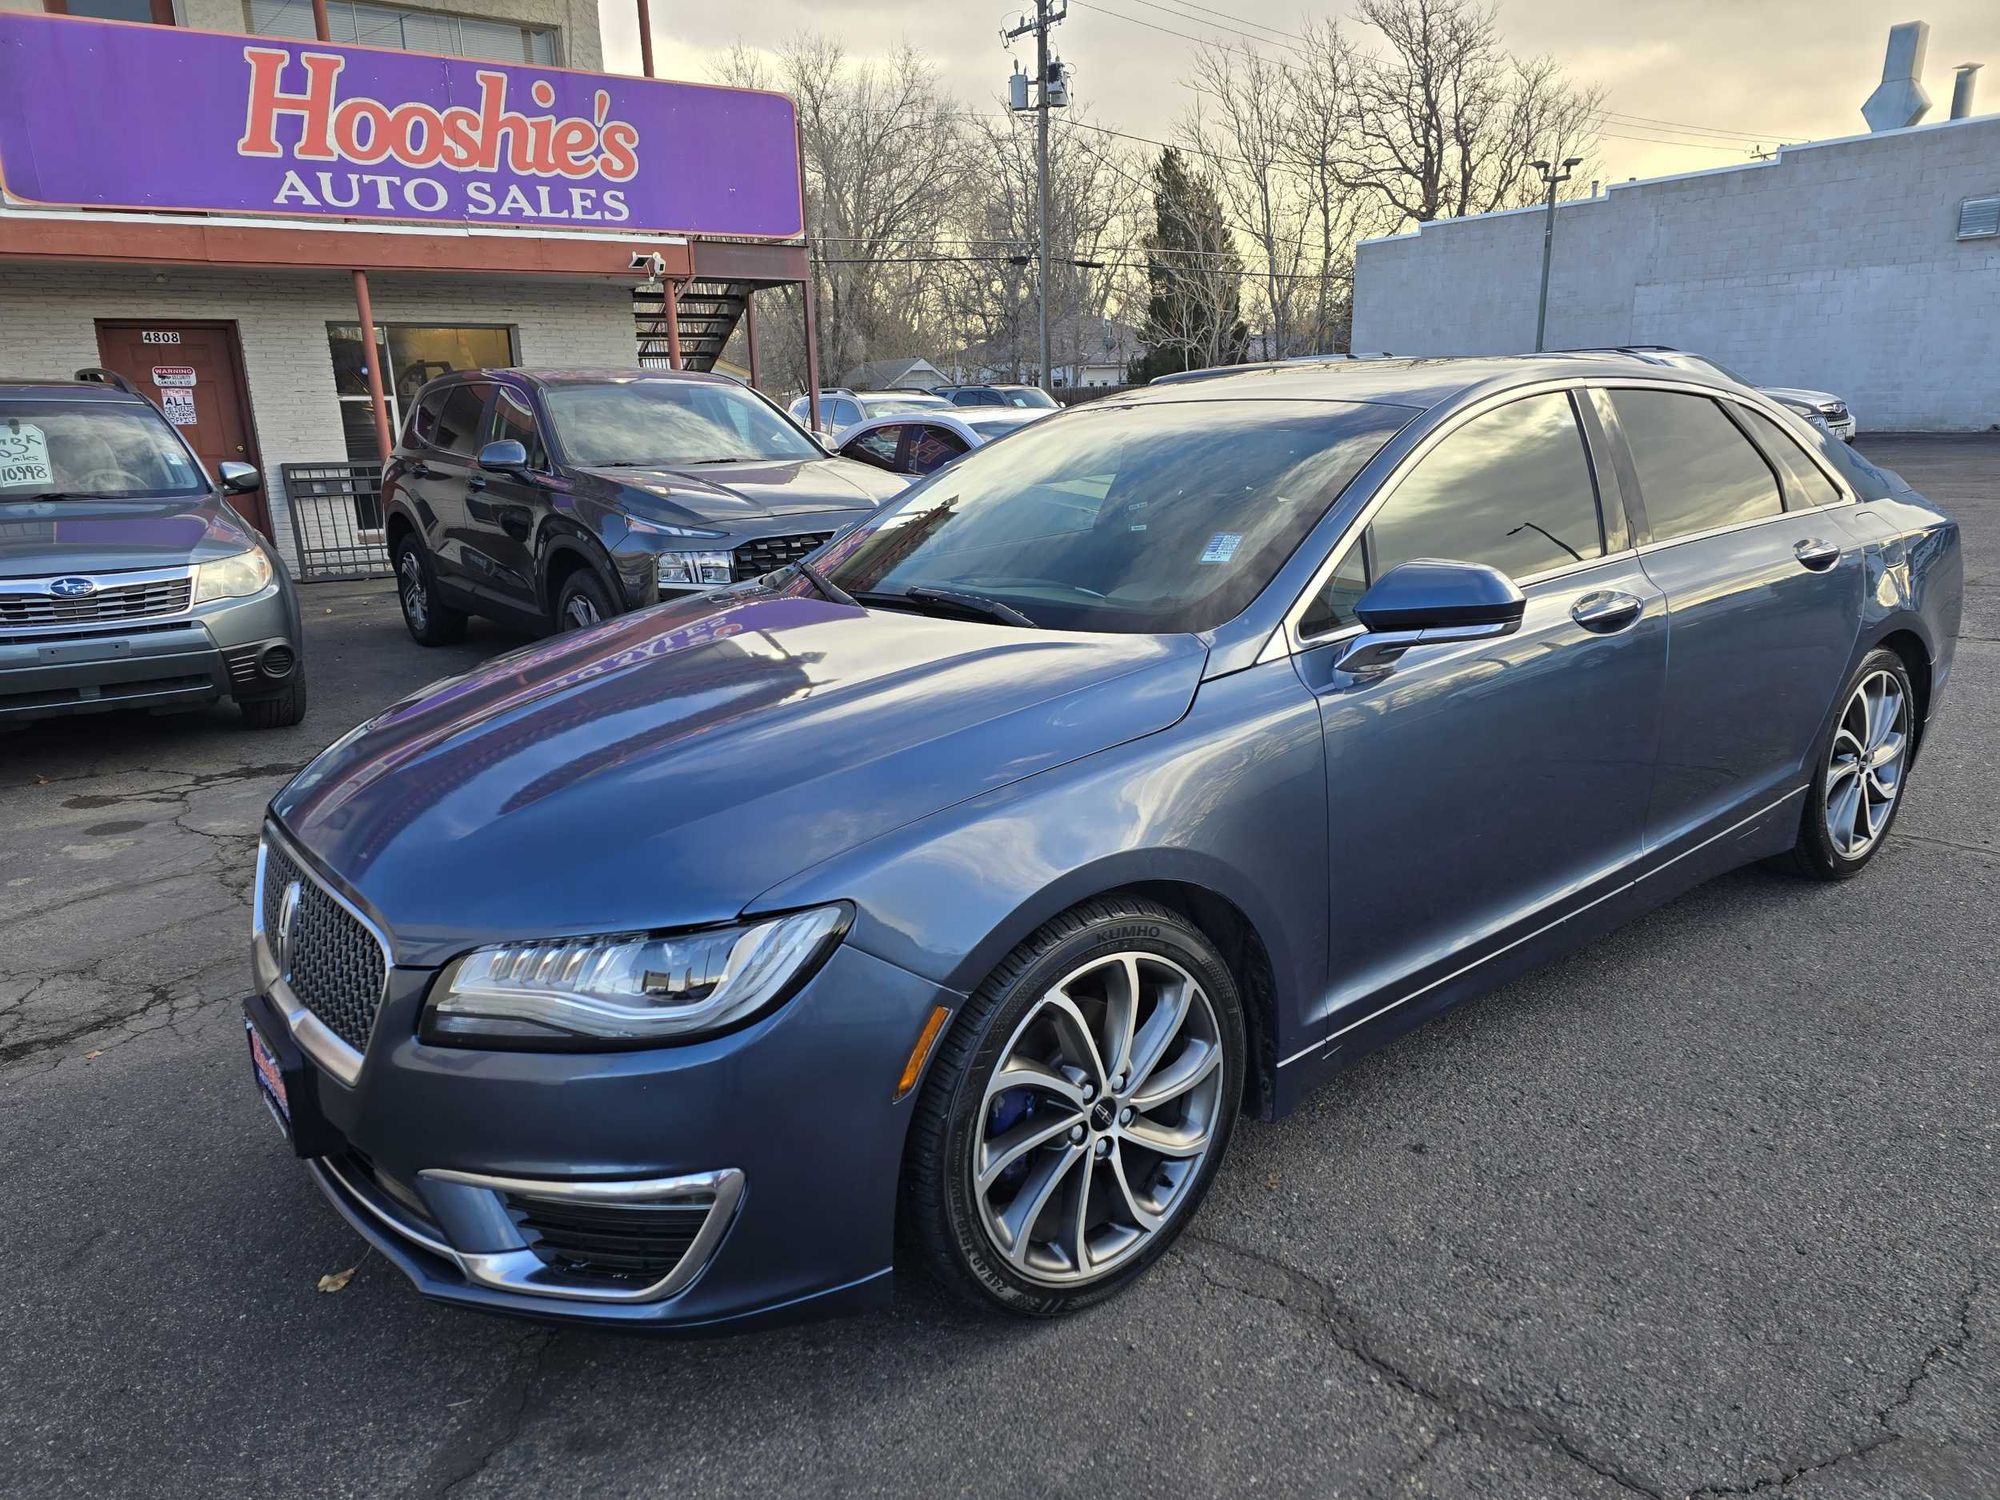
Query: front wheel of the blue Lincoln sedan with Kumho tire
{"points": [[1079, 1111]]}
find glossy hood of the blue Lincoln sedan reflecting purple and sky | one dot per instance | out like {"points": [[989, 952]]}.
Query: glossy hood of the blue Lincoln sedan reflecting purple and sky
{"points": [[669, 767]]}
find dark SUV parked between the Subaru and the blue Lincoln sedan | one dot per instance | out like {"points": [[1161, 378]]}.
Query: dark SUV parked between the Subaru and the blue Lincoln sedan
{"points": [[561, 499]]}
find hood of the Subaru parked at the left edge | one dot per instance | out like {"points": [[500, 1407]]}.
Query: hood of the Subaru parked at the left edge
{"points": [[57, 537]]}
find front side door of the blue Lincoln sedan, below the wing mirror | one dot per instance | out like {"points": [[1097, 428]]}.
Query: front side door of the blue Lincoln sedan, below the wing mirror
{"points": [[1481, 789]]}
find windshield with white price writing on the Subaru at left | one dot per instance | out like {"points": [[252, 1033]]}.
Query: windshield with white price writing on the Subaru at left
{"points": [[91, 451]]}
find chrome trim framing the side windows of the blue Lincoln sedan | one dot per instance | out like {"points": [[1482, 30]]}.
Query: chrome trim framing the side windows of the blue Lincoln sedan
{"points": [[1287, 639]]}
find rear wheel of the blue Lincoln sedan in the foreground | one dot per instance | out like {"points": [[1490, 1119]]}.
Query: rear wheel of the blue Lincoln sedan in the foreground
{"points": [[1857, 787]]}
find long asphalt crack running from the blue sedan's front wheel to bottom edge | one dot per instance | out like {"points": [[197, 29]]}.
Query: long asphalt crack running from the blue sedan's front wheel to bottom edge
{"points": [[1463, 1405]]}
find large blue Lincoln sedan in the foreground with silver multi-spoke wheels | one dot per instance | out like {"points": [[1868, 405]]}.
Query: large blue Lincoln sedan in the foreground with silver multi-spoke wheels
{"points": [[1119, 779]]}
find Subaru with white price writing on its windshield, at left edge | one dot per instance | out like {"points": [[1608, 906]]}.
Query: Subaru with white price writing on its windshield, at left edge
{"points": [[127, 579]]}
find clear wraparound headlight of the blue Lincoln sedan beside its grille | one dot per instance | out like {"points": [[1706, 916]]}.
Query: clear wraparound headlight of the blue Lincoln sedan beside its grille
{"points": [[629, 989]]}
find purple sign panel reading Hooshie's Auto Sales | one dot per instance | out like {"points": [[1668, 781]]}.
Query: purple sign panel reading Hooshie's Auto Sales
{"points": [[103, 115]]}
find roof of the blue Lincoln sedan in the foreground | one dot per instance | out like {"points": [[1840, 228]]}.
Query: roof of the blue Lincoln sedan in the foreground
{"points": [[1405, 381]]}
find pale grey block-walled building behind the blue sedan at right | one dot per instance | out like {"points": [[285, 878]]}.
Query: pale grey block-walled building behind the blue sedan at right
{"points": [[1837, 267]]}
